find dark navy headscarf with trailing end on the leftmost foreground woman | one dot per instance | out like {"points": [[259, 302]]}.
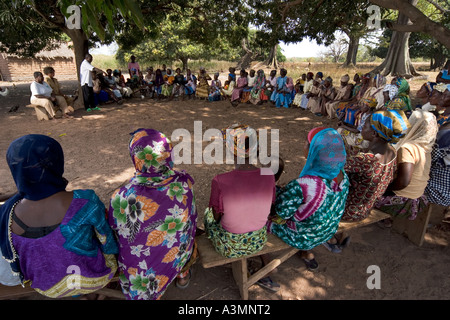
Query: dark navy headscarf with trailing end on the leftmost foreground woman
{"points": [[37, 165]]}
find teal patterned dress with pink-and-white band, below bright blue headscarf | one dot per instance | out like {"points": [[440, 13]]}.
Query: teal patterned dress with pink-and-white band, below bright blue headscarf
{"points": [[311, 208]]}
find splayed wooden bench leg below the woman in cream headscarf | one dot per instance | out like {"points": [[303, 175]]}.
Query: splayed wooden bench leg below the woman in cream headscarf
{"points": [[415, 229]]}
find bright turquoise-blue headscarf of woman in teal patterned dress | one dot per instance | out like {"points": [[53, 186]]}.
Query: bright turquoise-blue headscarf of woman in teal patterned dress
{"points": [[326, 156]]}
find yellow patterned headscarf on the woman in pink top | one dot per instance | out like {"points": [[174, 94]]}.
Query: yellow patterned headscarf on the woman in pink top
{"points": [[235, 137]]}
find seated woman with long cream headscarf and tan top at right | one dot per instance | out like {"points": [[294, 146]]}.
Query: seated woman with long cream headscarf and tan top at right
{"points": [[404, 197]]}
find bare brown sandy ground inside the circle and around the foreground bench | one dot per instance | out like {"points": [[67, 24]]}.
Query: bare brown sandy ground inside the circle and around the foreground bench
{"points": [[96, 157]]}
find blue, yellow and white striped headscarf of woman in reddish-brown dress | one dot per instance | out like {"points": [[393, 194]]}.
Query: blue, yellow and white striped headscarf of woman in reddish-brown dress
{"points": [[390, 125]]}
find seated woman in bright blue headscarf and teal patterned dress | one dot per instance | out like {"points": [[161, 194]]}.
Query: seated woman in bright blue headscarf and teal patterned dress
{"points": [[311, 206]]}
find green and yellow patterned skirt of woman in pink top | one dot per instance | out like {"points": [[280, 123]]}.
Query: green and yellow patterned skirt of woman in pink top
{"points": [[233, 245]]}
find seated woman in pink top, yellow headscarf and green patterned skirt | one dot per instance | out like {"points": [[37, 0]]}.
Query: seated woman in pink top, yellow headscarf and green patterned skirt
{"points": [[240, 200]]}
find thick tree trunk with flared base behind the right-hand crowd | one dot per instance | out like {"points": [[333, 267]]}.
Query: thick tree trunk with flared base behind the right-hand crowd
{"points": [[397, 61]]}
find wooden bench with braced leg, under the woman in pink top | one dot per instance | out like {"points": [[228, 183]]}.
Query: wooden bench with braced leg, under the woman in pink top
{"points": [[209, 257]]}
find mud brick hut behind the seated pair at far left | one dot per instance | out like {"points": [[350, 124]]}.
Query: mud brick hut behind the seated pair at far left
{"points": [[15, 68]]}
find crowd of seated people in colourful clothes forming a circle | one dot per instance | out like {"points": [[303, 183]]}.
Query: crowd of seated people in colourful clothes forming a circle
{"points": [[386, 154]]}
